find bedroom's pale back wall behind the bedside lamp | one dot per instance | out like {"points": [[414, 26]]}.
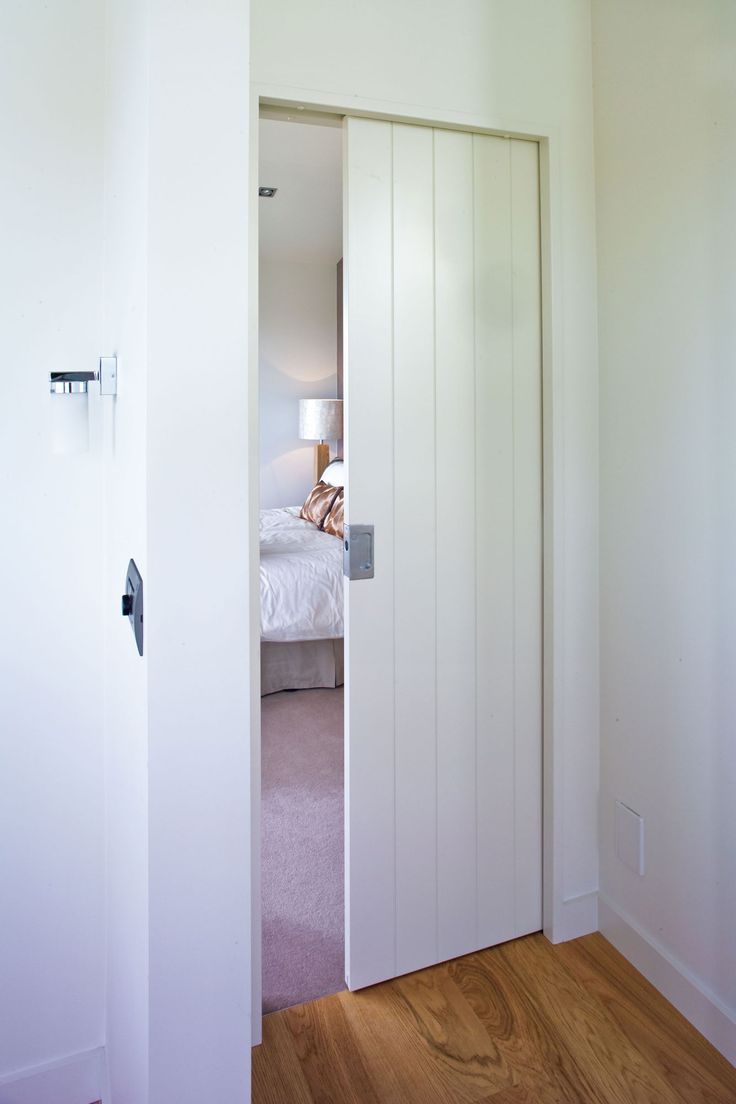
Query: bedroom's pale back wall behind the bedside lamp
{"points": [[298, 348]]}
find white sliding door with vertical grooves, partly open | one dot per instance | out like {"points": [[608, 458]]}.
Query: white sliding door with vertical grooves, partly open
{"points": [[444, 646]]}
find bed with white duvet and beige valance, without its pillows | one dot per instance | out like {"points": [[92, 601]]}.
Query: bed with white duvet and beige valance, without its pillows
{"points": [[302, 604]]}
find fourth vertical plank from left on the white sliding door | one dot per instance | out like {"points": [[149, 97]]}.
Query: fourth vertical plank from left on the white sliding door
{"points": [[495, 689]]}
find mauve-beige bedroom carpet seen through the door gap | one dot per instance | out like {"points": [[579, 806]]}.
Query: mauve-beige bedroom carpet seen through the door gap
{"points": [[303, 846]]}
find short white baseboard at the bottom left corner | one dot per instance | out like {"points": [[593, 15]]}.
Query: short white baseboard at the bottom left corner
{"points": [[73, 1080]]}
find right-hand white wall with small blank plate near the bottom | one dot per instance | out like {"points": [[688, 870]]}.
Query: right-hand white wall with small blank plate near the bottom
{"points": [[666, 163]]}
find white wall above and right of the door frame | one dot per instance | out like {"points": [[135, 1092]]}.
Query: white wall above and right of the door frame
{"points": [[526, 67]]}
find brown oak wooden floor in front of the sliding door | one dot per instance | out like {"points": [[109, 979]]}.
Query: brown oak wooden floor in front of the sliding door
{"points": [[521, 1024]]}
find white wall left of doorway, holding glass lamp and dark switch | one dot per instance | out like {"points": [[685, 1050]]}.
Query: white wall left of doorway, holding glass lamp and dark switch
{"points": [[82, 200]]}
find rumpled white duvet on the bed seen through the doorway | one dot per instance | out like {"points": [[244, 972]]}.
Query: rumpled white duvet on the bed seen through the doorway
{"points": [[302, 596]]}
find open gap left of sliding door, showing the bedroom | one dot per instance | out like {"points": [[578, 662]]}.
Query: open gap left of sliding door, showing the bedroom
{"points": [[302, 583]]}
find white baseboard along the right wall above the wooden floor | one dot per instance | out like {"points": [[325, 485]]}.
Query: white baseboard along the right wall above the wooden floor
{"points": [[703, 1009]]}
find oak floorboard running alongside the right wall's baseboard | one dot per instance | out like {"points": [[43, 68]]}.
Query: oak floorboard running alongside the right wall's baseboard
{"points": [[652, 1024]]}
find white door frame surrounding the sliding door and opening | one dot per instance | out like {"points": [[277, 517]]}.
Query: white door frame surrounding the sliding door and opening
{"points": [[560, 921]]}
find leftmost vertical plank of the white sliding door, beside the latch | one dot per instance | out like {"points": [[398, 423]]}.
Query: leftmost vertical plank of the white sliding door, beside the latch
{"points": [[370, 750]]}
